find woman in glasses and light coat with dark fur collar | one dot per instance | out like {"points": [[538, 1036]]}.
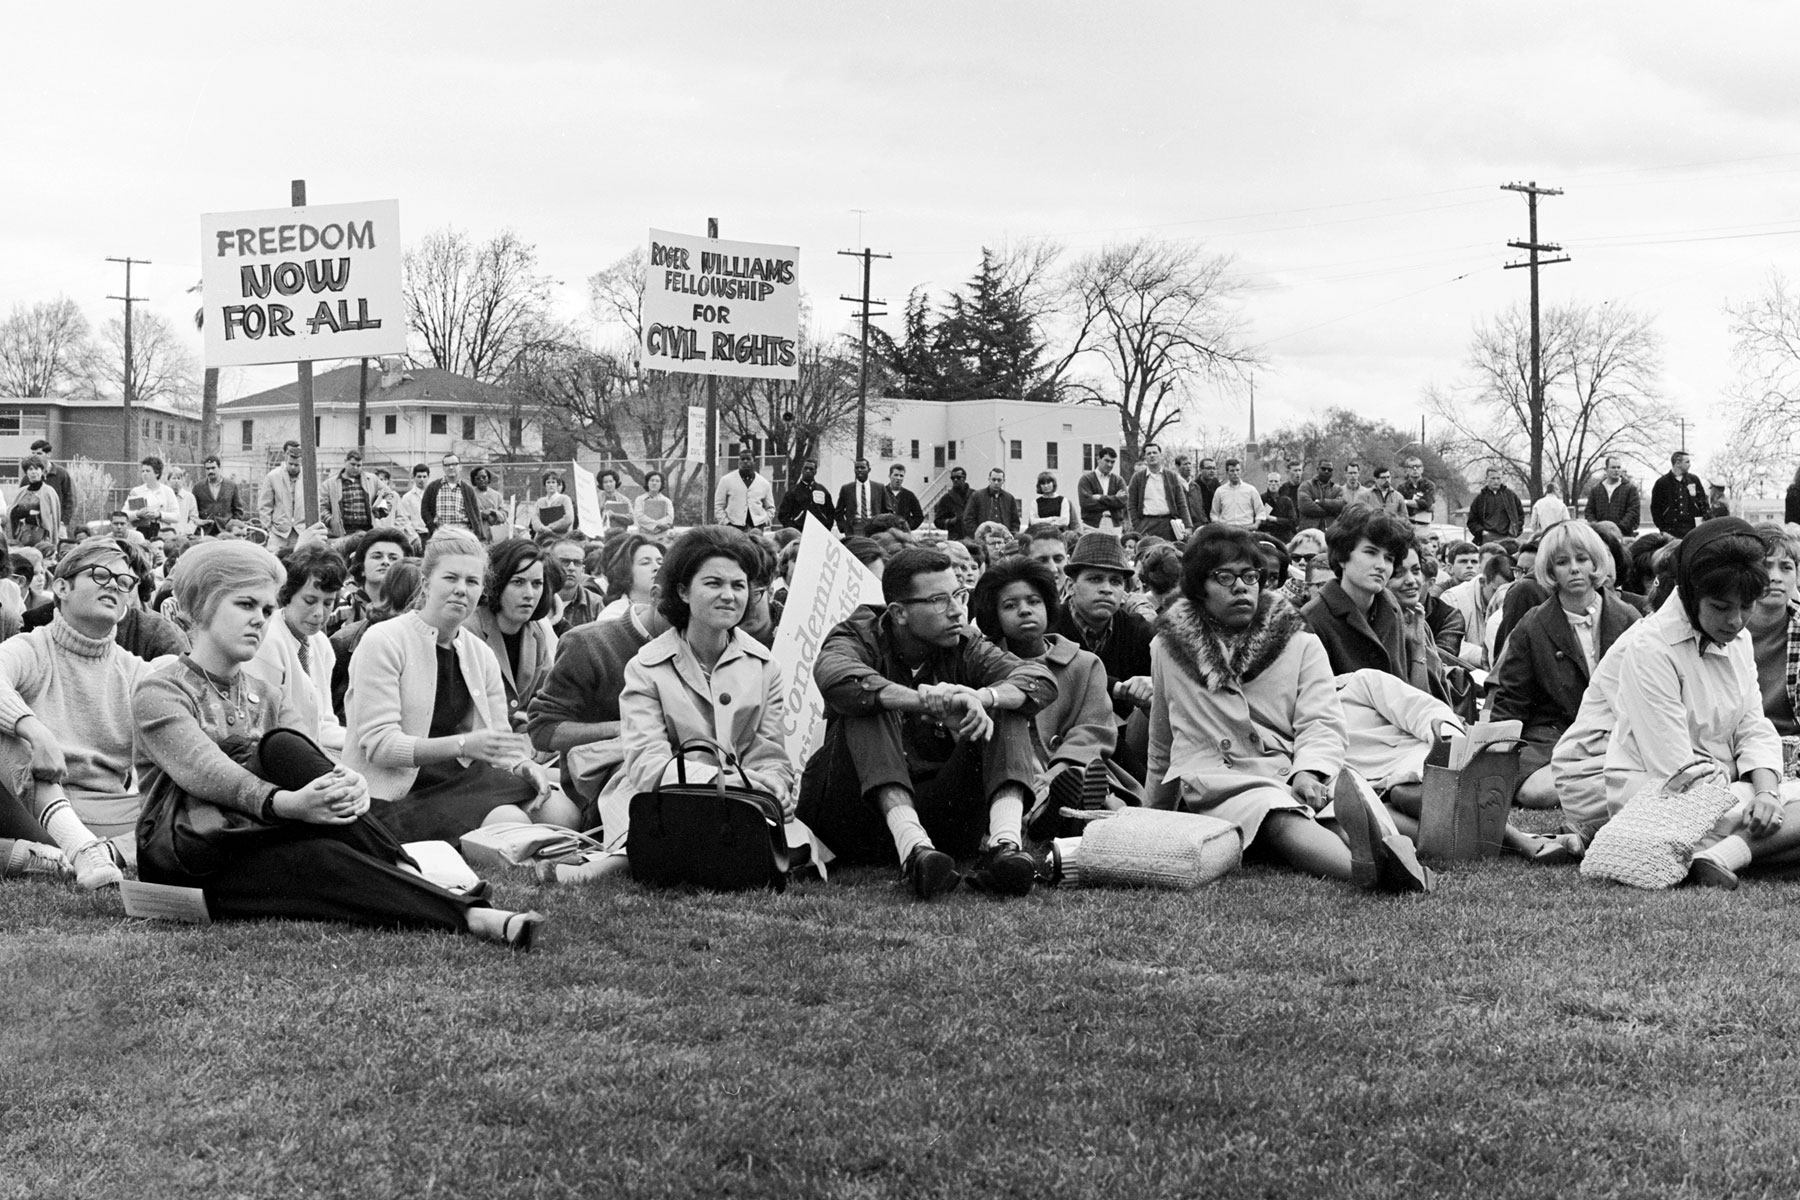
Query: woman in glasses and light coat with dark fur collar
{"points": [[1246, 726]]}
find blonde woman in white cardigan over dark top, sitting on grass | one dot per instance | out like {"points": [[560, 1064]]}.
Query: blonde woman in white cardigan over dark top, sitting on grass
{"points": [[427, 713]]}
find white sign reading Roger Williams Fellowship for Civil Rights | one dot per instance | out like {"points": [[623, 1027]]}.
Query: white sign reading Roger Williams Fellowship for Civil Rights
{"points": [[721, 307]]}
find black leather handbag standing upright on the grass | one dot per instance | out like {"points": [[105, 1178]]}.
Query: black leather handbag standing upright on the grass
{"points": [[714, 836]]}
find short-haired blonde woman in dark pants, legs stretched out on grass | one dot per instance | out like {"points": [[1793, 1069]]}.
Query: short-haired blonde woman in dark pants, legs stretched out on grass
{"points": [[298, 839]]}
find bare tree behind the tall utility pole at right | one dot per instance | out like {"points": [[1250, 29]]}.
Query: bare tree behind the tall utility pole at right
{"points": [[1601, 372]]}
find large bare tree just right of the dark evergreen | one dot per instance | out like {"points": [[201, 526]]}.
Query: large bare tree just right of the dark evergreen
{"points": [[1160, 316]]}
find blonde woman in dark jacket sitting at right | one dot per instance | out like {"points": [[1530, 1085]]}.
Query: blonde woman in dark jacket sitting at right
{"points": [[1556, 649]]}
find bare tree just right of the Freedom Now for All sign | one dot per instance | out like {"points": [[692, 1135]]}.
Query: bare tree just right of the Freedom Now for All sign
{"points": [[476, 309]]}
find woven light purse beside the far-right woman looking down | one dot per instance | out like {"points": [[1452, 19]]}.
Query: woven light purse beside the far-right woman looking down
{"points": [[1651, 841]]}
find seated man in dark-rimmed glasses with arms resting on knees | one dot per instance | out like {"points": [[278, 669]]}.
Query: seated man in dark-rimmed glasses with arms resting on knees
{"points": [[928, 746]]}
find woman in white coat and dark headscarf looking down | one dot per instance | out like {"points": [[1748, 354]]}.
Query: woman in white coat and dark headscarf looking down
{"points": [[1682, 686]]}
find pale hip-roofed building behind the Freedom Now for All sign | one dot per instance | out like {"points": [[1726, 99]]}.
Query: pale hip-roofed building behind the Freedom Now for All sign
{"points": [[417, 415]]}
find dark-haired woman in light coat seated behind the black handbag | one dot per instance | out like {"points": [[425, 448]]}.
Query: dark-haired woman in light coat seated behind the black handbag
{"points": [[703, 679]]}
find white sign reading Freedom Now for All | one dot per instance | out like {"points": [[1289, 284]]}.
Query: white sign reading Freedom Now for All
{"points": [[296, 285]]}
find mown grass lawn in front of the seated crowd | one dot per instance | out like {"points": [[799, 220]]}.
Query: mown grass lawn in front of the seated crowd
{"points": [[1522, 1034]]}
